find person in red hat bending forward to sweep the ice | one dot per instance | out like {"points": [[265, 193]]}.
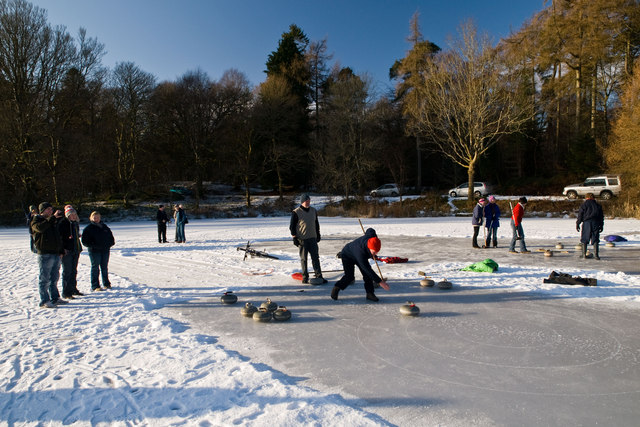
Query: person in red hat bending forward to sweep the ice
{"points": [[358, 253]]}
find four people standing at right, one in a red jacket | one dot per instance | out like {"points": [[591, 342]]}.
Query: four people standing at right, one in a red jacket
{"points": [[590, 215]]}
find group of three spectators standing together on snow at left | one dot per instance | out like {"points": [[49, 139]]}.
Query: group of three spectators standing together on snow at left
{"points": [[56, 239]]}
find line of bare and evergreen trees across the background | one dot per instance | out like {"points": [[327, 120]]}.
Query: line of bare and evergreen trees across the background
{"points": [[552, 99]]}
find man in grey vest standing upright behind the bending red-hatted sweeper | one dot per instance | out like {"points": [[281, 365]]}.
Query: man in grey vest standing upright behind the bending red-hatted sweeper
{"points": [[305, 232]]}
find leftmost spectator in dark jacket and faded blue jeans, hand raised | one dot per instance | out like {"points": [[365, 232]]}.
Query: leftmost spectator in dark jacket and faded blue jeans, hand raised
{"points": [[49, 246]]}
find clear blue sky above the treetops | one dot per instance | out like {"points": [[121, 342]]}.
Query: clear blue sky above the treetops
{"points": [[168, 38]]}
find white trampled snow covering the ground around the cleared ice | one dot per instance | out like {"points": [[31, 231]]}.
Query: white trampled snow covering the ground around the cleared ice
{"points": [[123, 357]]}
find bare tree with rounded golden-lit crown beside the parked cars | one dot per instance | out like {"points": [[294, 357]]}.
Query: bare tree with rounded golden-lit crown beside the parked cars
{"points": [[468, 99]]}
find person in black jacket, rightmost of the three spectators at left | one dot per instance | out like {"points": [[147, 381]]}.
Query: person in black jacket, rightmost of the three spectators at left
{"points": [[98, 238]]}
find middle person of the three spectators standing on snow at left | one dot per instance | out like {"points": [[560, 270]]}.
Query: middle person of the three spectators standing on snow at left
{"points": [[69, 229]]}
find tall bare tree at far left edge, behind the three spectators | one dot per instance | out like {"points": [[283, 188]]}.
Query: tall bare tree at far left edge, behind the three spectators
{"points": [[34, 58]]}
